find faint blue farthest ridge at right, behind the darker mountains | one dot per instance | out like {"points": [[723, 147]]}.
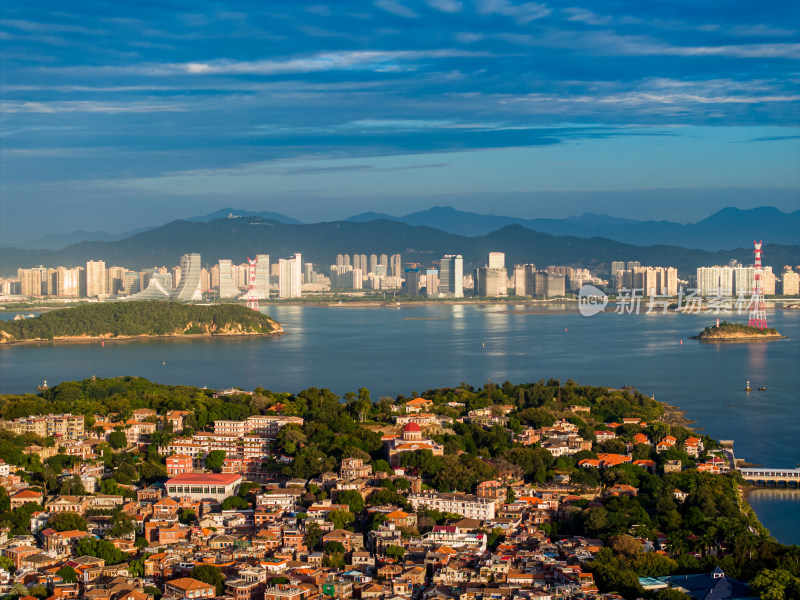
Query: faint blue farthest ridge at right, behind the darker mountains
{"points": [[725, 229]]}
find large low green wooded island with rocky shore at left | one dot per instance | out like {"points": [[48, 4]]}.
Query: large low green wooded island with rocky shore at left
{"points": [[126, 320]]}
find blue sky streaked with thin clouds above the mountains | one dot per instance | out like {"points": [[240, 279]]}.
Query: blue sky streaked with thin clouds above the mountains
{"points": [[117, 116]]}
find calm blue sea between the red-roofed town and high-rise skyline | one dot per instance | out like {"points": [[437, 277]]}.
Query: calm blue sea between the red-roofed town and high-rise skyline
{"points": [[392, 351]]}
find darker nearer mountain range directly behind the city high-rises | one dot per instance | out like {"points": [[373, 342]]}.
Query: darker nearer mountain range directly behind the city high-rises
{"points": [[320, 242]]}
